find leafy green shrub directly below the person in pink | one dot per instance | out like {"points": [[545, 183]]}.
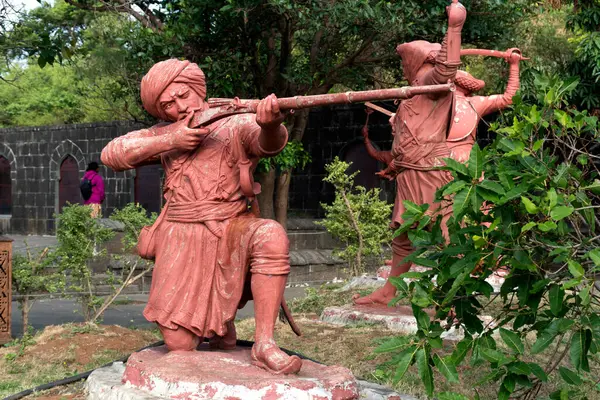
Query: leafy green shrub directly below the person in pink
{"points": [[79, 240]]}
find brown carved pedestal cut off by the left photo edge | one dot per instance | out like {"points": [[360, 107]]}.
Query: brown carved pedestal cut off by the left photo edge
{"points": [[5, 288]]}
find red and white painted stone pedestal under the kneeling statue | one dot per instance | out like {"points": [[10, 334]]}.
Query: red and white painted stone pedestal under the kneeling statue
{"points": [[206, 374]]}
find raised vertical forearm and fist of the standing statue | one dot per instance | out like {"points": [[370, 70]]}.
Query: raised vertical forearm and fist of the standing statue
{"points": [[447, 60]]}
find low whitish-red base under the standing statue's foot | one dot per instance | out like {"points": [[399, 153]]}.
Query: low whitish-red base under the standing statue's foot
{"points": [[398, 319]]}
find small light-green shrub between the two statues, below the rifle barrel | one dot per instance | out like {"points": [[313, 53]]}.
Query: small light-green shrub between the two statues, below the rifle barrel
{"points": [[357, 217]]}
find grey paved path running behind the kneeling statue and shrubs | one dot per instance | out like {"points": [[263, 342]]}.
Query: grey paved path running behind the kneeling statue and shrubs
{"points": [[47, 312]]}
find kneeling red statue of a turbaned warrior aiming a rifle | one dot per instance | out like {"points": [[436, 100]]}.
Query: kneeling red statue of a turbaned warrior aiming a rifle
{"points": [[212, 253]]}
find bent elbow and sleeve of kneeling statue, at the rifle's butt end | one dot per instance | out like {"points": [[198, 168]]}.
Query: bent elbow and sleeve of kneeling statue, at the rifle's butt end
{"points": [[135, 148]]}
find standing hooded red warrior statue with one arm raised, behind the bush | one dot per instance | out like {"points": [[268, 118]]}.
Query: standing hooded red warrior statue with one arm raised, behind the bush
{"points": [[420, 127]]}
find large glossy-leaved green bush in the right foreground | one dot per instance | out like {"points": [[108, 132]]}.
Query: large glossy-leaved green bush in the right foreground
{"points": [[534, 212]]}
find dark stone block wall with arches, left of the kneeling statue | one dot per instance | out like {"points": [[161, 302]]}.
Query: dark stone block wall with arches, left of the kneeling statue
{"points": [[35, 156]]}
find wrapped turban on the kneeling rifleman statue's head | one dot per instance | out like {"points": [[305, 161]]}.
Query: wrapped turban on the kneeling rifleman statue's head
{"points": [[164, 73]]}
